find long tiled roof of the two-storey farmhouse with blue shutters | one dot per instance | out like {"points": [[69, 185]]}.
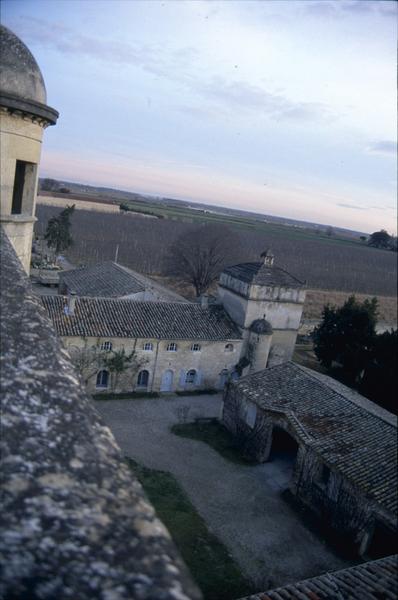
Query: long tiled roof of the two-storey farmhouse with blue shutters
{"points": [[109, 317]]}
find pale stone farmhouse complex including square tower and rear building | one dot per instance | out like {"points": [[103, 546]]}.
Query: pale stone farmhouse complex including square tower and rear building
{"points": [[261, 304]]}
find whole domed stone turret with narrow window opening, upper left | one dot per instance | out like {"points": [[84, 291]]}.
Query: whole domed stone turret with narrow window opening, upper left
{"points": [[23, 116]]}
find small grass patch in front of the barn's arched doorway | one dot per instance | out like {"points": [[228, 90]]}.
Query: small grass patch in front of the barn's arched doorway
{"points": [[213, 433]]}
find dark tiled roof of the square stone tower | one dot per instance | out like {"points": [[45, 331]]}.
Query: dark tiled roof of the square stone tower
{"points": [[260, 274]]}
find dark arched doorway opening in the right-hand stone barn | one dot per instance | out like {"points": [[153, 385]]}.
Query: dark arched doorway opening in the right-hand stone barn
{"points": [[282, 456]]}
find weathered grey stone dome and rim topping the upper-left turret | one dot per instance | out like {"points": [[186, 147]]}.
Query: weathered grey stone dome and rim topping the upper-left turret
{"points": [[21, 82]]}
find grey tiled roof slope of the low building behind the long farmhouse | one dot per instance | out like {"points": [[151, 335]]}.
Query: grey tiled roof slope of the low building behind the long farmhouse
{"points": [[107, 279]]}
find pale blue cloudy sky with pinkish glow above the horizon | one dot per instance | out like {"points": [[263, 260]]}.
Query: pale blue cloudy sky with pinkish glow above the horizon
{"points": [[281, 107]]}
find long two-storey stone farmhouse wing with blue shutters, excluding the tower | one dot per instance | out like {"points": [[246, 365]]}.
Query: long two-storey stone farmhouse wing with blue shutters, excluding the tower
{"points": [[177, 346]]}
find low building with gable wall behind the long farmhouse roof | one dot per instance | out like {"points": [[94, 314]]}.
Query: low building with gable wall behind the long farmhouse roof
{"points": [[112, 280]]}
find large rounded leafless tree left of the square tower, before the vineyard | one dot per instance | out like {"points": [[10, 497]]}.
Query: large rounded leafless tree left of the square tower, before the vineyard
{"points": [[199, 255]]}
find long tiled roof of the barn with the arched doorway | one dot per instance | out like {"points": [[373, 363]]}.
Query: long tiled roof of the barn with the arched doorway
{"points": [[353, 435]]}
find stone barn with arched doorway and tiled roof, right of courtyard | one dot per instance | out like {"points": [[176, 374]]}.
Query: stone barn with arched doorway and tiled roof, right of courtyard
{"points": [[345, 447]]}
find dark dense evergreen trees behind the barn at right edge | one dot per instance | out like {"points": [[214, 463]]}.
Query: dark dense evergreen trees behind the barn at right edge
{"points": [[346, 342]]}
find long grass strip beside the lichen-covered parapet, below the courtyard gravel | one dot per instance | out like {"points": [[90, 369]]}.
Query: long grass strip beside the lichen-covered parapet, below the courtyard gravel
{"points": [[213, 569]]}
